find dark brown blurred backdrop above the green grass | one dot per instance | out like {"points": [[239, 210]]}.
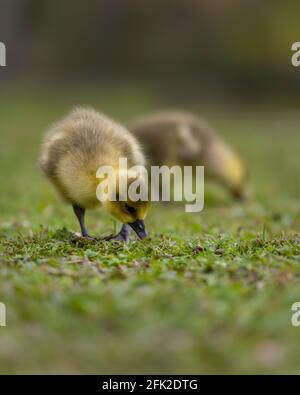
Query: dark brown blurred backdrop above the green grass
{"points": [[234, 48]]}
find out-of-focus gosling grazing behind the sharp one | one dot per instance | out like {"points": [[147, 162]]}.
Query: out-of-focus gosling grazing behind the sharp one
{"points": [[179, 138]]}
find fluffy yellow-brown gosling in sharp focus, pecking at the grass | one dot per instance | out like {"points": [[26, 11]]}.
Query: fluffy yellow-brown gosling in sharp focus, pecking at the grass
{"points": [[72, 152]]}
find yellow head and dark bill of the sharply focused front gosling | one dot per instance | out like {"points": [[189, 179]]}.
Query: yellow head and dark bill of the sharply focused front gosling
{"points": [[122, 207]]}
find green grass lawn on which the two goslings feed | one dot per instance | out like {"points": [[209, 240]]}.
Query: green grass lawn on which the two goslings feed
{"points": [[208, 293]]}
